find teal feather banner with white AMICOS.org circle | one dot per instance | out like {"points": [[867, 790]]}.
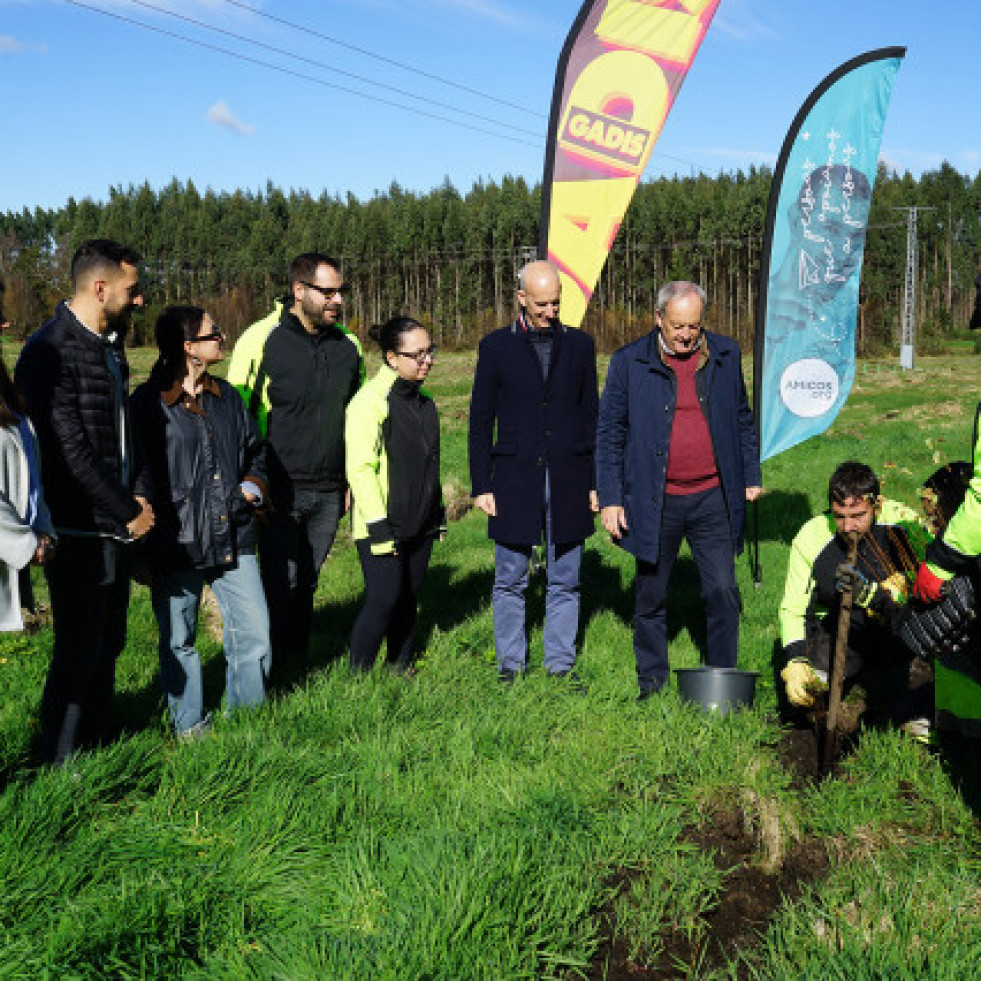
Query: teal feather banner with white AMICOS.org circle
{"points": [[813, 245]]}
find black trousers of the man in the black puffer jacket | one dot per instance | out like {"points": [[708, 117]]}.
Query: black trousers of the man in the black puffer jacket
{"points": [[89, 583]]}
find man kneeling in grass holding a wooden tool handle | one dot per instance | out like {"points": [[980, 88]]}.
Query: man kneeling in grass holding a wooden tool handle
{"points": [[818, 572]]}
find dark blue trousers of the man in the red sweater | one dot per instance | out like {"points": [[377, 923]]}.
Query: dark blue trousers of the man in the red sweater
{"points": [[703, 520]]}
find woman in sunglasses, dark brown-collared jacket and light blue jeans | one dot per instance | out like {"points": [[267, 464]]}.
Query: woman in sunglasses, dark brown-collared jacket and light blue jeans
{"points": [[203, 470]]}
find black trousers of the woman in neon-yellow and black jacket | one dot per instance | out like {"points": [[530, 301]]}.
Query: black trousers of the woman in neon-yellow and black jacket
{"points": [[392, 584]]}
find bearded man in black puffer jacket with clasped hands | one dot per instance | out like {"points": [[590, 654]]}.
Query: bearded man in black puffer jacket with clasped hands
{"points": [[73, 375]]}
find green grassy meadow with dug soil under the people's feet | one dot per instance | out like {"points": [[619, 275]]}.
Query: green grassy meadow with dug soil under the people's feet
{"points": [[450, 827]]}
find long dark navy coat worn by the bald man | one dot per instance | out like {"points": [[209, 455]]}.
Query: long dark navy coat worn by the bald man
{"points": [[541, 423]]}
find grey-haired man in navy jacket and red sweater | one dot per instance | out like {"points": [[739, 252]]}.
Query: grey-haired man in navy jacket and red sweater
{"points": [[677, 458]]}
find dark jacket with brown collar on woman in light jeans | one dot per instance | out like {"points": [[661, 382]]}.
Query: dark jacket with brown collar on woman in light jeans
{"points": [[195, 455]]}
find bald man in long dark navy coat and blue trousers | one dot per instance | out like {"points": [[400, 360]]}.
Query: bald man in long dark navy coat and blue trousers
{"points": [[534, 479]]}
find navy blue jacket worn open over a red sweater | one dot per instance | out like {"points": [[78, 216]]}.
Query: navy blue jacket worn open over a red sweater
{"points": [[634, 436]]}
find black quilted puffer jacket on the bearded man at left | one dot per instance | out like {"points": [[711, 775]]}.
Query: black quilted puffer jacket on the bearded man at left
{"points": [[74, 402]]}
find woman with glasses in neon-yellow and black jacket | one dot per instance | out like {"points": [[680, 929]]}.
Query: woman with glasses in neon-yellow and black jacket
{"points": [[391, 437]]}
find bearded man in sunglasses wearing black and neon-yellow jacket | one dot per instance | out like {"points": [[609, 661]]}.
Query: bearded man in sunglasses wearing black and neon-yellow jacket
{"points": [[297, 377]]}
